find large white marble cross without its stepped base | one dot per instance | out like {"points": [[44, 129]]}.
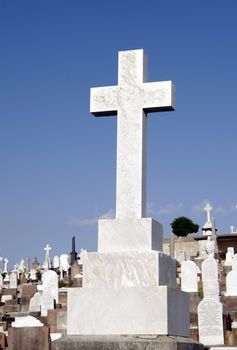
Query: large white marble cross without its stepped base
{"points": [[130, 100]]}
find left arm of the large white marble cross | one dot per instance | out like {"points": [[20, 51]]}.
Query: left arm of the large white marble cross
{"points": [[103, 101]]}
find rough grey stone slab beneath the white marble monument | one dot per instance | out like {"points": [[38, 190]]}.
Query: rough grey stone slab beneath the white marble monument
{"points": [[81, 342]]}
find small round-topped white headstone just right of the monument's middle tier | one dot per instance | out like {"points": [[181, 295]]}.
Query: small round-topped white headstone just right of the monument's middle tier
{"points": [[189, 277]]}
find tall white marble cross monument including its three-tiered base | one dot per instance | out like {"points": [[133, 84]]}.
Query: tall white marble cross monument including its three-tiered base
{"points": [[129, 285]]}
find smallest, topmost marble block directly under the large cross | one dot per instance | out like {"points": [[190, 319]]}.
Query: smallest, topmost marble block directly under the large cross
{"points": [[129, 235]]}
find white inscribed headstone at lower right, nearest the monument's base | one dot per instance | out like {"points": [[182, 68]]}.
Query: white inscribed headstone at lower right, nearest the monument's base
{"points": [[210, 322]]}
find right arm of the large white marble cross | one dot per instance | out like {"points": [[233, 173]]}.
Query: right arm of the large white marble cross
{"points": [[159, 96]]}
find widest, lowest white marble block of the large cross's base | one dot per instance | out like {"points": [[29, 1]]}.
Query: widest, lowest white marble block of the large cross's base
{"points": [[98, 311]]}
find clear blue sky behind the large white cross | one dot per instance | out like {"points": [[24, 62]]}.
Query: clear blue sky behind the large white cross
{"points": [[57, 162]]}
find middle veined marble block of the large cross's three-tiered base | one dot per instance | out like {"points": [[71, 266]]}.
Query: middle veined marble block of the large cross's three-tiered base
{"points": [[129, 269]]}
